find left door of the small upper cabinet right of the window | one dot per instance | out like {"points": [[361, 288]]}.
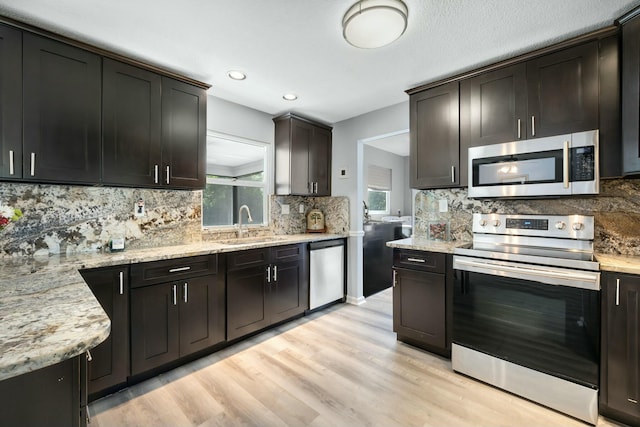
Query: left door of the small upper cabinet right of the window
{"points": [[301, 140]]}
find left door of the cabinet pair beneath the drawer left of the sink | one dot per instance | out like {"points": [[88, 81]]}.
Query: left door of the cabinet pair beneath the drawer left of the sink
{"points": [[154, 327]]}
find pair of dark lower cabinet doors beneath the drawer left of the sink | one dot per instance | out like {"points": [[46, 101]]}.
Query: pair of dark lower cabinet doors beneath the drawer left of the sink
{"points": [[176, 319]]}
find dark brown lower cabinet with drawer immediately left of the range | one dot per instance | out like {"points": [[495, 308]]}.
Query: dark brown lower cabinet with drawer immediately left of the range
{"points": [[422, 300]]}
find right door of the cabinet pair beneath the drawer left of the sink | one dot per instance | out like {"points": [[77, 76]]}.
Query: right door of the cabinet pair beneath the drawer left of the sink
{"points": [[202, 313]]}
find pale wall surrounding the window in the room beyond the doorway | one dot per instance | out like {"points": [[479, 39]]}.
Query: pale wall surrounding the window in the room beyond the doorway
{"points": [[377, 157]]}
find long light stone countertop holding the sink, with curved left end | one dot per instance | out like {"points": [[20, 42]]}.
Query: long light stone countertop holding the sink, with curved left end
{"points": [[48, 313]]}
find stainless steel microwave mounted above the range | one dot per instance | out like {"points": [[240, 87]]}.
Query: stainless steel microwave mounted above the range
{"points": [[562, 165]]}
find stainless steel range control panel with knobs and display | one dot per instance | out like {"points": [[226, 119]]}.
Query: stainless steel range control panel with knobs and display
{"points": [[561, 226]]}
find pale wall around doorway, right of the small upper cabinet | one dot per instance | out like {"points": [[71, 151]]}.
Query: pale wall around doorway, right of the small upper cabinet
{"points": [[346, 135]]}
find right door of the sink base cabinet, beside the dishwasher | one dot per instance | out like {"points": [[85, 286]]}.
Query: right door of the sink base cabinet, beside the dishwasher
{"points": [[285, 292]]}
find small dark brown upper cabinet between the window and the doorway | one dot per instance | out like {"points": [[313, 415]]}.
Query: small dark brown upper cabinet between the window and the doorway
{"points": [[303, 157]]}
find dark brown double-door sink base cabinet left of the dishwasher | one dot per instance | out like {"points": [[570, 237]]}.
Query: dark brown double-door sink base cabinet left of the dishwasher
{"points": [[264, 287]]}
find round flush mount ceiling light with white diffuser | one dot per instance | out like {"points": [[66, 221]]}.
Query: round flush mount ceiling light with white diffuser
{"points": [[369, 24]]}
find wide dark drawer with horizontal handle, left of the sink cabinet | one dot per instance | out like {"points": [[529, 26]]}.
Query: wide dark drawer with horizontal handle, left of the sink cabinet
{"points": [[149, 273]]}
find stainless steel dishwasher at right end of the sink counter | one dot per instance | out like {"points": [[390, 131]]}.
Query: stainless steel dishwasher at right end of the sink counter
{"points": [[326, 272]]}
